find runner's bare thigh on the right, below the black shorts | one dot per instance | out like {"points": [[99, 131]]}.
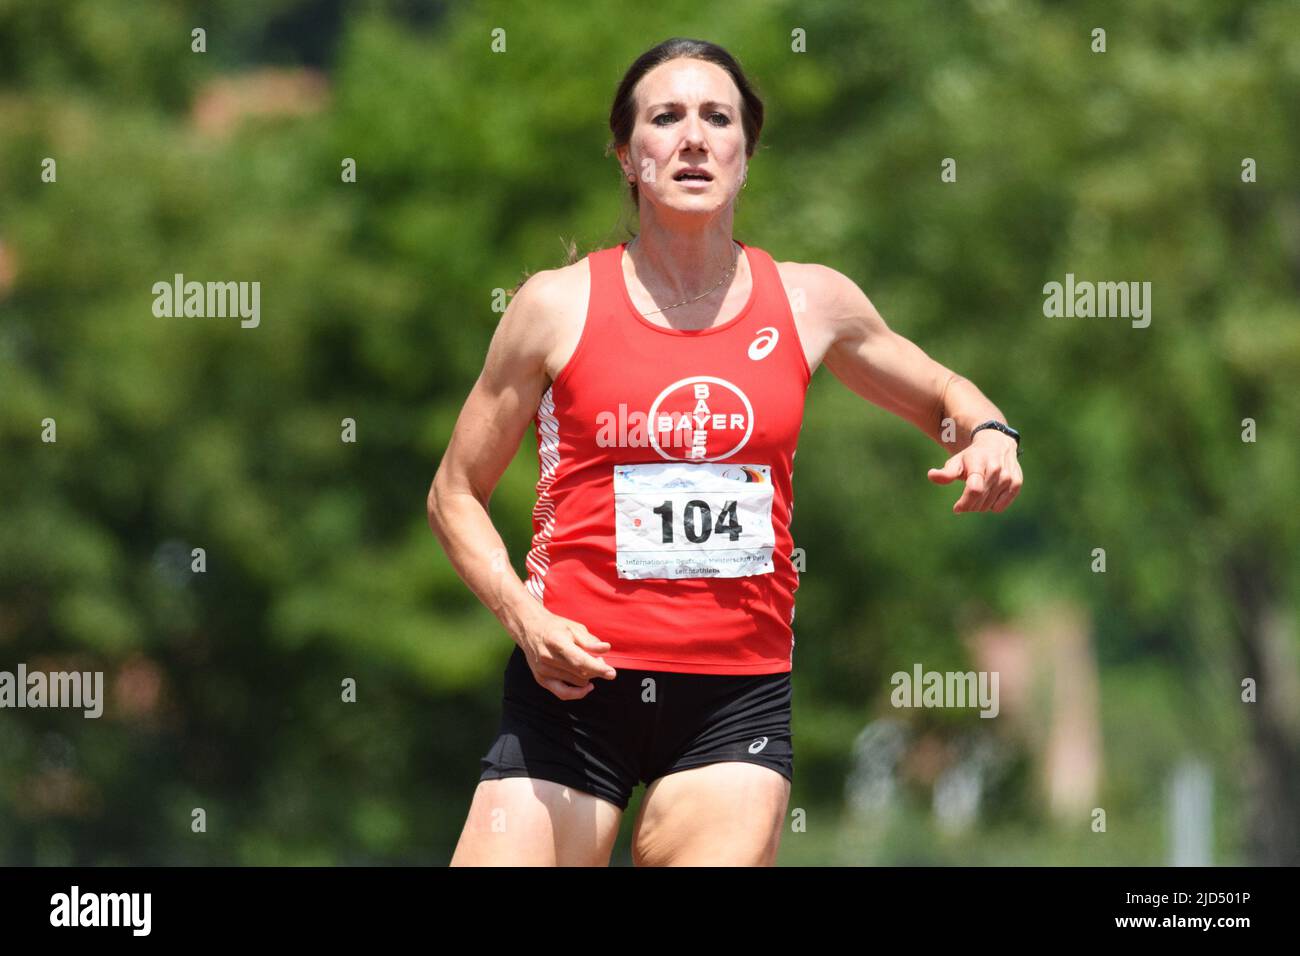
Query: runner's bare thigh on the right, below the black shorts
{"points": [[730, 814]]}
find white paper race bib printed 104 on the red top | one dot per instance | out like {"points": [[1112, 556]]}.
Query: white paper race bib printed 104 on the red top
{"points": [[687, 520]]}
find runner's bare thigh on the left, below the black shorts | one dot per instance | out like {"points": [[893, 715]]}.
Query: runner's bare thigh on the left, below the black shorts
{"points": [[522, 821]]}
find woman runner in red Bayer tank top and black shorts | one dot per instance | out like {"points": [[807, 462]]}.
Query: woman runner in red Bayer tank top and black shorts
{"points": [[666, 382]]}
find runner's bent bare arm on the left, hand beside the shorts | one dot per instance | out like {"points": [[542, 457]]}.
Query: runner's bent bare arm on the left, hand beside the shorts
{"points": [[504, 401]]}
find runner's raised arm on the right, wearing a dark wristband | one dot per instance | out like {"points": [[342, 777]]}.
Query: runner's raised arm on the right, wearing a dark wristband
{"points": [[895, 374]]}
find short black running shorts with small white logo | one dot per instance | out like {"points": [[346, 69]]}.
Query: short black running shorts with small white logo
{"points": [[639, 728]]}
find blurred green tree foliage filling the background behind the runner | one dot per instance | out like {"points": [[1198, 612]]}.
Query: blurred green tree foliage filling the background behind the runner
{"points": [[376, 305]]}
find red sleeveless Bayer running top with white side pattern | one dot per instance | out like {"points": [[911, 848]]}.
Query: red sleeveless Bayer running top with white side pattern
{"points": [[665, 494]]}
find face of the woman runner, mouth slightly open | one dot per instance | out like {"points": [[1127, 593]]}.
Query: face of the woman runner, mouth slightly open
{"points": [[688, 116]]}
